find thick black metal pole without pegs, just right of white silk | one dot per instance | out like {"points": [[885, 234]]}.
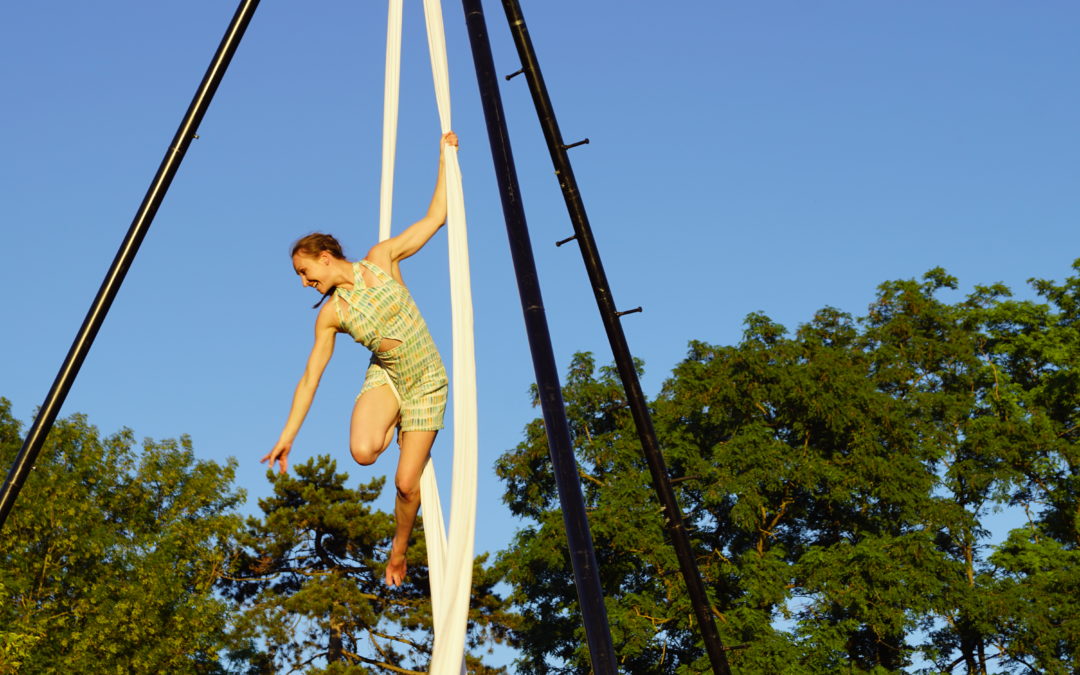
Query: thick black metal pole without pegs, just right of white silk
{"points": [[583, 555]]}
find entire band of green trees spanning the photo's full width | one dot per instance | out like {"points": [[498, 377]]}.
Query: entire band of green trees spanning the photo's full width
{"points": [[843, 484]]}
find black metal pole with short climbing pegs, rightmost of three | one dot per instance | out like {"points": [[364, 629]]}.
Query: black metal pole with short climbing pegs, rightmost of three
{"points": [[612, 323]]}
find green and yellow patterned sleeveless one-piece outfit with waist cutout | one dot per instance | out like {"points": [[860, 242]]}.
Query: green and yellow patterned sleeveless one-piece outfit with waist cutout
{"points": [[414, 368]]}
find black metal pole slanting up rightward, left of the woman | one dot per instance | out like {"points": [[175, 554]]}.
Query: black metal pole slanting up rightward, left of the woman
{"points": [[47, 415]]}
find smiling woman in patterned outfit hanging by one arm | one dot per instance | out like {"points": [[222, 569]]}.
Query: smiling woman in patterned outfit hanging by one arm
{"points": [[406, 385]]}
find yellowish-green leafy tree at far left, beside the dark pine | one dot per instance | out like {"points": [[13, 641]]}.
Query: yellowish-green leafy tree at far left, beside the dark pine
{"points": [[109, 560]]}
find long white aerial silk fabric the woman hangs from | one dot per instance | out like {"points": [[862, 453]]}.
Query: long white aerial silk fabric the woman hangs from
{"points": [[450, 559]]}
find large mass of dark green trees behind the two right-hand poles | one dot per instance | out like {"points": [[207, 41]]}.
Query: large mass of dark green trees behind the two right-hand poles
{"points": [[840, 484]]}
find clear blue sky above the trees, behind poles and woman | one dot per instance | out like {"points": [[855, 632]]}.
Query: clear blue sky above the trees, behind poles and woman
{"points": [[772, 157]]}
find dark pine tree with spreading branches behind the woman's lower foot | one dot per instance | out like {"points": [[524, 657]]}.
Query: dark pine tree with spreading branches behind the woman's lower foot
{"points": [[309, 578]]}
